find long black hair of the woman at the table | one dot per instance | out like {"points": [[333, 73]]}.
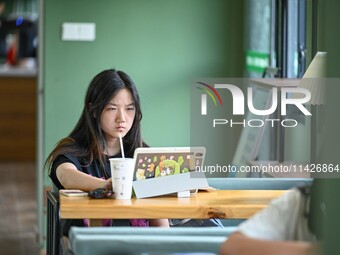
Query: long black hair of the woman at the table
{"points": [[87, 139]]}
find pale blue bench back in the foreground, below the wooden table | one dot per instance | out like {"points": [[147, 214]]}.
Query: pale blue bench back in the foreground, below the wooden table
{"points": [[127, 240]]}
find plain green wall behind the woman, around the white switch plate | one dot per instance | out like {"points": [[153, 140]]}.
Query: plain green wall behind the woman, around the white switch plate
{"points": [[163, 45]]}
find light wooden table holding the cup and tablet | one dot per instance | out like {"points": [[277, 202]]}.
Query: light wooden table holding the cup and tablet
{"points": [[226, 204]]}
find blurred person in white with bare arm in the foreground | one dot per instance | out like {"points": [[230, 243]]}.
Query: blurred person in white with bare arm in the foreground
{"points": [[290, 225]]}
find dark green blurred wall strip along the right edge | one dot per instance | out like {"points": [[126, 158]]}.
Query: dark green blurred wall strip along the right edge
{"points": [[329, 38]]}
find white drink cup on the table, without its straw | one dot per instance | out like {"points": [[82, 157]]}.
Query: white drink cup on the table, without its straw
{"points": [[122, 176]]}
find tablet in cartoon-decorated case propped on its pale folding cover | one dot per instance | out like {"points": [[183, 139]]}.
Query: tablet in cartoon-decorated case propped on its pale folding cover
{"points": [[165, 170]]}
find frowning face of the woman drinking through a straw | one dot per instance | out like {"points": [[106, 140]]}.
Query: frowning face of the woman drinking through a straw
{"points": [[117, 117]]}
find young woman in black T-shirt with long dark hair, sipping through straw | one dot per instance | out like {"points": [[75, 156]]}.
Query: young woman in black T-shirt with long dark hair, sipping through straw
{"points": [[81, 160]]}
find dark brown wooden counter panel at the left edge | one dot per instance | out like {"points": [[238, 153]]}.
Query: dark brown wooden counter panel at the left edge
{"points": [[18, 119]]}
